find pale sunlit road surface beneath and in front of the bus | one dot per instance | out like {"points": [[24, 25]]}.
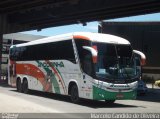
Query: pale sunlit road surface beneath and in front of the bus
{"points": [[37, 102]]}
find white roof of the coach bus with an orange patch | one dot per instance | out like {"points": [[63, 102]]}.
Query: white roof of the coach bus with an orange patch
{"points": [[94, 37]]}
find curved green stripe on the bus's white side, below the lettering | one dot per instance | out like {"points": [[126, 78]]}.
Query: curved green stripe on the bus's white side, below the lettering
{"points": [[53, 78]]}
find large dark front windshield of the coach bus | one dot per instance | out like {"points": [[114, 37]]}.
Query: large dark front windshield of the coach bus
{"points": [[115, 61]]}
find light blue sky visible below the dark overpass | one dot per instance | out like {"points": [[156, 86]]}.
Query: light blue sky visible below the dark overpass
{"points": [[91, 26]]}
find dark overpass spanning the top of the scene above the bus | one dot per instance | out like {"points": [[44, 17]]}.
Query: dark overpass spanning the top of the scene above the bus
{"points": [[21, 15]]}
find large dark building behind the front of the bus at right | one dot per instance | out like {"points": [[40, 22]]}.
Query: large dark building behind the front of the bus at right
{"points": [[144, 36]]}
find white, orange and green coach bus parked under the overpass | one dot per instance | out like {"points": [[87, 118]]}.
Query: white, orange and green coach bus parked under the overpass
{"points": [[81, 64]]}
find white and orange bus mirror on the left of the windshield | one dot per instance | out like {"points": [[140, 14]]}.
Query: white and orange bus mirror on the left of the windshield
{"points": [[93, 52]]}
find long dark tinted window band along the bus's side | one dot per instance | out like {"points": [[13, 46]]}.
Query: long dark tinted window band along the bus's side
{"points": [[55, 50]]}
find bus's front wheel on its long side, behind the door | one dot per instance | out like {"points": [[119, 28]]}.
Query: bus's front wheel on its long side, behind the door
{"points": [[74, 95]]}
